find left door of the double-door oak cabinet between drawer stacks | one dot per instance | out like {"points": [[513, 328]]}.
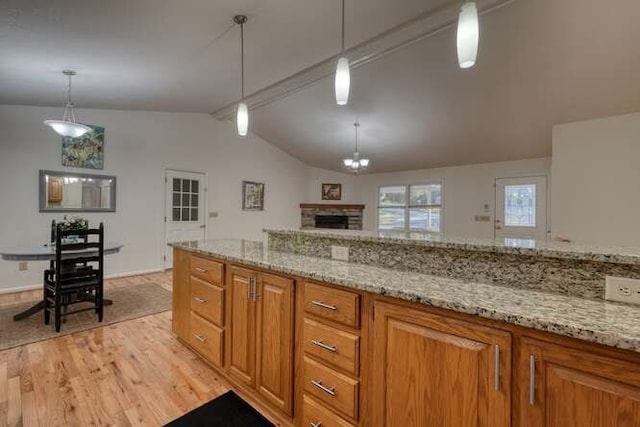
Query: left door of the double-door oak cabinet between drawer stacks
{"points": [[241, 325]]}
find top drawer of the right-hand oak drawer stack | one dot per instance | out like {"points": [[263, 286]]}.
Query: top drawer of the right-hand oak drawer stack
{"points": [[333, 304]]}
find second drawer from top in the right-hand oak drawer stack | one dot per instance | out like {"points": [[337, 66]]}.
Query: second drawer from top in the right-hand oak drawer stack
{"points": [[331, 345]]}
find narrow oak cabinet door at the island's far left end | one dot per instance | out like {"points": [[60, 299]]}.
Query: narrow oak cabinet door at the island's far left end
{"points": [[180, 294]]}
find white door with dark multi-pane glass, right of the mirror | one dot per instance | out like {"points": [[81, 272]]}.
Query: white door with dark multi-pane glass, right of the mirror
{"points": [[184, 209]]}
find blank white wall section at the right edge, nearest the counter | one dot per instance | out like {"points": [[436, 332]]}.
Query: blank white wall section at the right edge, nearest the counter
{"points": [[596, 181]]}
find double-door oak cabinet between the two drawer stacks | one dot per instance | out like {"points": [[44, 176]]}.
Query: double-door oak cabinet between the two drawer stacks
{"points": [[260, 339]]}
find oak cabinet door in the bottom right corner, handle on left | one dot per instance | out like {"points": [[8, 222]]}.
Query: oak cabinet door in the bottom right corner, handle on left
{"points": [[564, 387]]}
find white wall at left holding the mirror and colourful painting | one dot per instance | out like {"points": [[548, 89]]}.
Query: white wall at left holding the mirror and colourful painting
{"points": [[138, 148]]}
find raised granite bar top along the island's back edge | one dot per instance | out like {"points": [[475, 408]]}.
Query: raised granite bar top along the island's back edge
{"points": [[549, 249]]}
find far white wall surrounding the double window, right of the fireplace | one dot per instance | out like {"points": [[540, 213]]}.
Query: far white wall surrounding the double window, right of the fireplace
{"points": [[466, 191]]}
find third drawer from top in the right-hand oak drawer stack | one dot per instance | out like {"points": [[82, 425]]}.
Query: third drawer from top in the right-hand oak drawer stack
{"points": [[334, 389]]}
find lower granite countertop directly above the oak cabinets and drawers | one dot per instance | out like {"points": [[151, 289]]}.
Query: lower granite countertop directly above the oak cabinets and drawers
{"points": [[602, 322]]}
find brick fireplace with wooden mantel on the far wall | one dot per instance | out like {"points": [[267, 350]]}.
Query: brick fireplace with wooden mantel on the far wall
{"points": [[336, 216]]}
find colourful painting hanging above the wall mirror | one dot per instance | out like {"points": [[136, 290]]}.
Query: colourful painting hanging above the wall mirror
{"points": [[86, 151]]}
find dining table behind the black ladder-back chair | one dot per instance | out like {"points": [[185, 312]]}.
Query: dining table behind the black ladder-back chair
{"points": [[47, 252]]}
